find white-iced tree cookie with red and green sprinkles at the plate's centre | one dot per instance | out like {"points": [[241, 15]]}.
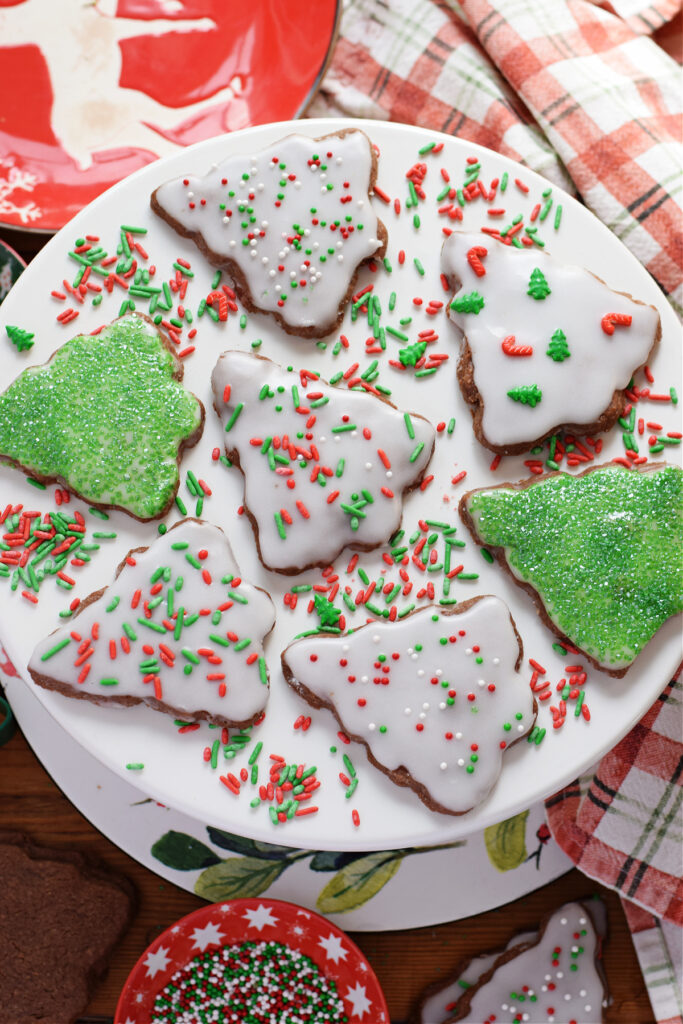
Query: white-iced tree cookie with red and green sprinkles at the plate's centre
{"points": [[325, 468]]}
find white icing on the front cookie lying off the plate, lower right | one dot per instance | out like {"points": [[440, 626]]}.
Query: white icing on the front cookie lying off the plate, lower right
{"points": [[530, 970]]}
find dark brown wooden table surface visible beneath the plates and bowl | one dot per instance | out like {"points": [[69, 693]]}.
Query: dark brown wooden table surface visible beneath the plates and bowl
{"points": [[405, 962]]}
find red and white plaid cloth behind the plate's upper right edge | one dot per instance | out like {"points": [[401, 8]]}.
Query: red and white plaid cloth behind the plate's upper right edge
{"points": [[574, 90]]}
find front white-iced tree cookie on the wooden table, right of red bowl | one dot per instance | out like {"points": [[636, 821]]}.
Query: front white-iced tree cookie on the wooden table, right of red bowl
{"points": [[557, 977]]}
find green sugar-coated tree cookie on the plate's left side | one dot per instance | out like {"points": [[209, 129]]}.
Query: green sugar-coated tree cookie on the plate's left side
{"points": [[107, 417]]}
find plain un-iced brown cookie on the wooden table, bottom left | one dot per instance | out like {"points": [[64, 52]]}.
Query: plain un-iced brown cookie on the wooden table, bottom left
{"points": [[61, 916]]}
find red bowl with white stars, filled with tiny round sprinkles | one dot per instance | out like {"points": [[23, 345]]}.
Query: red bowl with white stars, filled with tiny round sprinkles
{"points": [[252, 961]]}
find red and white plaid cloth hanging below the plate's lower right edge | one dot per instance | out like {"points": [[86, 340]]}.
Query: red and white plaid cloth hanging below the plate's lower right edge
{"points": [[623, 826]]}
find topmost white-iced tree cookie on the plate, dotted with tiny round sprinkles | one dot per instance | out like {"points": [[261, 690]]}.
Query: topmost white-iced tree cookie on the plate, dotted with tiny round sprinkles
{"points": [[291, 225]]}
